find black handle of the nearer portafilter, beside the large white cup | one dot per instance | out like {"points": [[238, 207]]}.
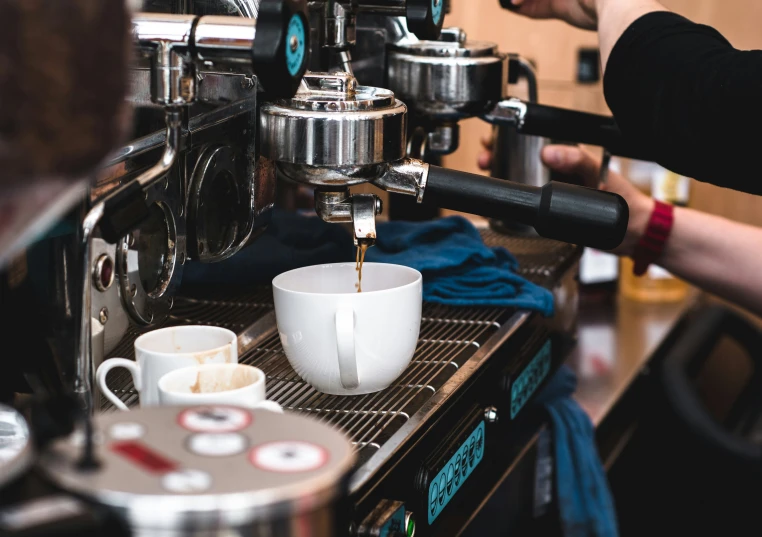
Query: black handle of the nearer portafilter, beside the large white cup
{"points": [[559, 211]]}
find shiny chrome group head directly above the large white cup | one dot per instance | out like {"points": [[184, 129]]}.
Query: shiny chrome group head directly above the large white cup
{"points": [[332, 122]]}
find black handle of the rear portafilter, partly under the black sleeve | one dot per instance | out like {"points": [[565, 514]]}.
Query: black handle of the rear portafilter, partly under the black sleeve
{"points": [[579, 128]]}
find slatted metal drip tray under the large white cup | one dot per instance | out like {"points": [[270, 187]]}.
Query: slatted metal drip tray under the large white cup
{"points": [[453, 342]]}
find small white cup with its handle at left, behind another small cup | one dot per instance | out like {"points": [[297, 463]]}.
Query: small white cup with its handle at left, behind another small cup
{"points": [[164, 350]]}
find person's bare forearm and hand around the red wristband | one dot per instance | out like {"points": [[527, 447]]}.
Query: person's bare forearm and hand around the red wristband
{"points": [[715, 254]]}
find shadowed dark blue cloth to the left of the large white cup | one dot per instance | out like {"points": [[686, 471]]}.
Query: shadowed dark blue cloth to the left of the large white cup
{"points": [[291, 241]]}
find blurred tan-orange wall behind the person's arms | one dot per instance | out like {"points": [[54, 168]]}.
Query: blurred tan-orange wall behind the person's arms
{"points": [[553, 46]]}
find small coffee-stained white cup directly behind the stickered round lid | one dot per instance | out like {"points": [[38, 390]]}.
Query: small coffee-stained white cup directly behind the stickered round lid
{"points": [[216, 384]]}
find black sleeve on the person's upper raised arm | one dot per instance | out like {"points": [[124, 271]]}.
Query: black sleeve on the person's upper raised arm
{"points": [[682, 93]]}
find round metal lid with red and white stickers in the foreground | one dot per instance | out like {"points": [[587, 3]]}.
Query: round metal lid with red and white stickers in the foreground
{"points": [[212, 466]]}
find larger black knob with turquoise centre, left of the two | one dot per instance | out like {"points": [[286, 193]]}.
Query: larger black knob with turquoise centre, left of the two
{"points": [[281, 45]]}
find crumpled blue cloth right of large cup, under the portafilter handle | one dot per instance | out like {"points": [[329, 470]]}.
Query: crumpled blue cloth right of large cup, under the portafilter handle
{"points": [[458, 269]]}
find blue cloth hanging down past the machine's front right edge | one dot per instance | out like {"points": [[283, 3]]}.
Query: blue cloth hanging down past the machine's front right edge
{"points": [[584, 499]]}
